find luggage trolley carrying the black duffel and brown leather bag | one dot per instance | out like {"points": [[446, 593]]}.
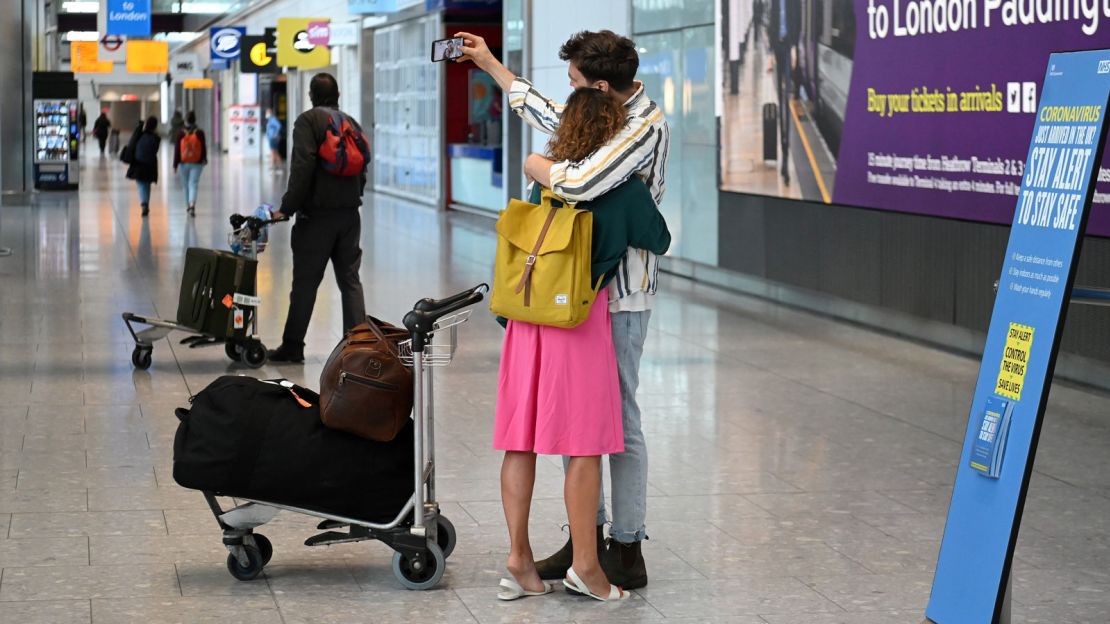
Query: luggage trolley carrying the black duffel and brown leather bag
{"points": [[422, 541]]}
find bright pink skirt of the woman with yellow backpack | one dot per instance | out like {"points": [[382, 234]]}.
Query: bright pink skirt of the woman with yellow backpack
{"points": [[559, 392]]}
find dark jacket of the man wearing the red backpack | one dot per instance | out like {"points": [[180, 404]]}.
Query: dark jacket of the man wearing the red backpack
{"points": [[312, 190]]}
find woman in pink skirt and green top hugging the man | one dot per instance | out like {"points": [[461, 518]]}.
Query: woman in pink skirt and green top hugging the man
{"points": [[559, 392]]}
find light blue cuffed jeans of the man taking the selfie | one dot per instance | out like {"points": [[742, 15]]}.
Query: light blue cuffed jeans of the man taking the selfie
{"points": [[629, 470]]}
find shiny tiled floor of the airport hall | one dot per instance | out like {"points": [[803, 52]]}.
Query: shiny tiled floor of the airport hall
{"points": [[795, 479]]}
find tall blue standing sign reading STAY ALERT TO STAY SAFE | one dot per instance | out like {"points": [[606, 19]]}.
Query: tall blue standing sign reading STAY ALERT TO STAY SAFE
{"points": [[1020, 356]]}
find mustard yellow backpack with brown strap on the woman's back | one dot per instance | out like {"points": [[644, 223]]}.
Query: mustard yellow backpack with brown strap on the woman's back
{"points": [[542, 269]]}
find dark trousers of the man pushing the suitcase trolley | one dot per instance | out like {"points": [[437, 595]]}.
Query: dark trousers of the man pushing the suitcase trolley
{"points": [[326, 236]]}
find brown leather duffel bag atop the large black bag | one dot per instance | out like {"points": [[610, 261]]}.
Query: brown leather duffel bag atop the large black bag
{"points": [[365, 388]]}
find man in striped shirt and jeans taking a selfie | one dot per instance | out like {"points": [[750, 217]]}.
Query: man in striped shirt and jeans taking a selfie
{"points": [[608, 63]]}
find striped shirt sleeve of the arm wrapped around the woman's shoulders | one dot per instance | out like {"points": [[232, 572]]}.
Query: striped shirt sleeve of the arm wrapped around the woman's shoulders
{"points": [[632, 150]]}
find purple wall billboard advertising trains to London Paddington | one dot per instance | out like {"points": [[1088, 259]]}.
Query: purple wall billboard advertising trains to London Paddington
{"points": [[914, 106]]}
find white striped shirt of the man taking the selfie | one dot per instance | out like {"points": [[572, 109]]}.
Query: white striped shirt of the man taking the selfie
{"points": [[640, 149]]}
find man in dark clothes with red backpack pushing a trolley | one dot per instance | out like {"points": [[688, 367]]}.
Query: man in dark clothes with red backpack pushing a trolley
{"points": [[328, 175]]}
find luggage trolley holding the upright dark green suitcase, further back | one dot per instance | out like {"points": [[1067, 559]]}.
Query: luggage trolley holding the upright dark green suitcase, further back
{"points": [[248, 239]]}
